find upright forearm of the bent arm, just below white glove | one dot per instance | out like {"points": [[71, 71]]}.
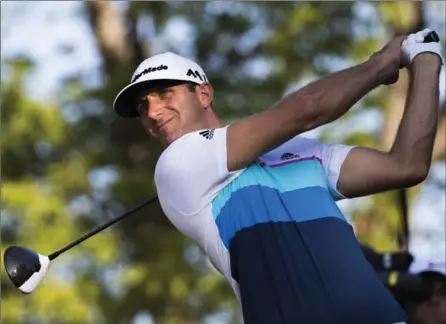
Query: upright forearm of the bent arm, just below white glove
{"points": [[415, 138]]}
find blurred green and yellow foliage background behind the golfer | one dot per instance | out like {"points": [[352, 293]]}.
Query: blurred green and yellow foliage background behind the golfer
{"points": [[68, 163]]}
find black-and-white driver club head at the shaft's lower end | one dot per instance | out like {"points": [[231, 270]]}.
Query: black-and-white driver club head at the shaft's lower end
{"points": [[25, 267]]}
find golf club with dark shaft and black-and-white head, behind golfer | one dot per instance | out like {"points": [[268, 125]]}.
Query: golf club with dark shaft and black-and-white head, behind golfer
{"points": [[26, 268]]}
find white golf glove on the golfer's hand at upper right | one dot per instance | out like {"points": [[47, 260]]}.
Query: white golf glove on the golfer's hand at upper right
{"points": [[414, 45]]}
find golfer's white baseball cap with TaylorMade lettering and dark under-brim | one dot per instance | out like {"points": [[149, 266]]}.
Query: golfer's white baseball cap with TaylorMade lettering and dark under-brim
{"points": [[165, 66]]}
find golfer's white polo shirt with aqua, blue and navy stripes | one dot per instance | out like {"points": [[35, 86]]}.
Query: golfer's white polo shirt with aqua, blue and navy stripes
{"points": [[274, 230]]}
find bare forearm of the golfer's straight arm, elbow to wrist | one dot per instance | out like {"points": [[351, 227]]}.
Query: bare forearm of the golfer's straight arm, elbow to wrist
{"points": [[329, 98]]}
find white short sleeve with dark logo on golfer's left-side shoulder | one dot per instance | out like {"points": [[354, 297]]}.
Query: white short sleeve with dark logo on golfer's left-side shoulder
{"points": [[192, 170]]}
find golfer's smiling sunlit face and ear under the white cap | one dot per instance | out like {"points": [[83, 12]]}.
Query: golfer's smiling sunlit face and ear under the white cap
{"points": [[171, 109]]}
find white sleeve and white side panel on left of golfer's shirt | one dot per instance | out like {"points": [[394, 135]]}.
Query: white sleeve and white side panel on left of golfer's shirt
{"points": [[188, 175]]}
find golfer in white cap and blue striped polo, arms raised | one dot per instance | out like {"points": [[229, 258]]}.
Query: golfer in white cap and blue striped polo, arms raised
{"points": [[260, 200]]}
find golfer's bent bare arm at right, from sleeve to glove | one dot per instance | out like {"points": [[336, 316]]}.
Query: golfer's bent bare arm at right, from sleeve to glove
{"points": [[368, 171]]}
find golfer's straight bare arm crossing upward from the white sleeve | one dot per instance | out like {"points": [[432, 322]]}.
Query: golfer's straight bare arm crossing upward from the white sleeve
{"points": [[316, 104]]}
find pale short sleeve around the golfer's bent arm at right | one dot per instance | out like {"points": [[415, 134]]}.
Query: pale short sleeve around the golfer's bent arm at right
{"points": [[333, 156]]}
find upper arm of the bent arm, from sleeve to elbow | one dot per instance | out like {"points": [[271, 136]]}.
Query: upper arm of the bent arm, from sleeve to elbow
{"points": [[368, 171]]}
